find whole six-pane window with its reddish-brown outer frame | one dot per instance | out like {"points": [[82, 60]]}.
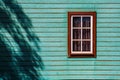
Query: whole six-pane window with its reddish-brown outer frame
{"points": [[82, 34]]}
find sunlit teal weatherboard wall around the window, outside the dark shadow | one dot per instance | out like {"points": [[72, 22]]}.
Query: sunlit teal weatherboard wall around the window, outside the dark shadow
{"points": [[49, 18]]}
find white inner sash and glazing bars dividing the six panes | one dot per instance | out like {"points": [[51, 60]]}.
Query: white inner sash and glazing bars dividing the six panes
{"points": [[81, 40]]}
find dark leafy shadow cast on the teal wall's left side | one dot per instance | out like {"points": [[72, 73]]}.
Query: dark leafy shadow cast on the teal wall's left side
{"points": [[19, 46]]}
